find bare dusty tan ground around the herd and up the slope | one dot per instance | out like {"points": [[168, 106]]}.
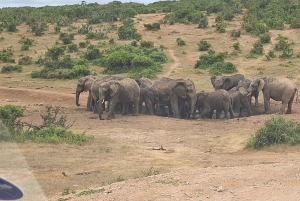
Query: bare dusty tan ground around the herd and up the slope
{"points": [[149, 157]]}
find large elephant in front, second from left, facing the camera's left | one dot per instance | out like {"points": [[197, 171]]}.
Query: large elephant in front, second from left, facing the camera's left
{"points": [[125, 90]]}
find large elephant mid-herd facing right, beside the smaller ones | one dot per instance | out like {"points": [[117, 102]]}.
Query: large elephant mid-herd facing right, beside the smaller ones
{"points": [[170, 90]]}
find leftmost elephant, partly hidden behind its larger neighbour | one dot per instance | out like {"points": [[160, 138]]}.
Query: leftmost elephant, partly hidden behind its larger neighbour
{"points": [[84, 84]]}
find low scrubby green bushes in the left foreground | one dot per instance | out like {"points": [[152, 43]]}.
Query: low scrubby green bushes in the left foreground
{"points": [[53, 128]]}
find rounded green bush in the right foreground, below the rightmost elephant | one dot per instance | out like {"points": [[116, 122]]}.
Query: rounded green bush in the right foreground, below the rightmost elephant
{"points": [[276, 130]]}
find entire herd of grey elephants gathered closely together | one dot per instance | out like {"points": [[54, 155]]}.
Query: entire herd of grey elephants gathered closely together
{"points": [[178, 97]]}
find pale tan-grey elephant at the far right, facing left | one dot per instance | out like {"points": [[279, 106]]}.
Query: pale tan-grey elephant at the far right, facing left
{"points": [[278, 89]]}
